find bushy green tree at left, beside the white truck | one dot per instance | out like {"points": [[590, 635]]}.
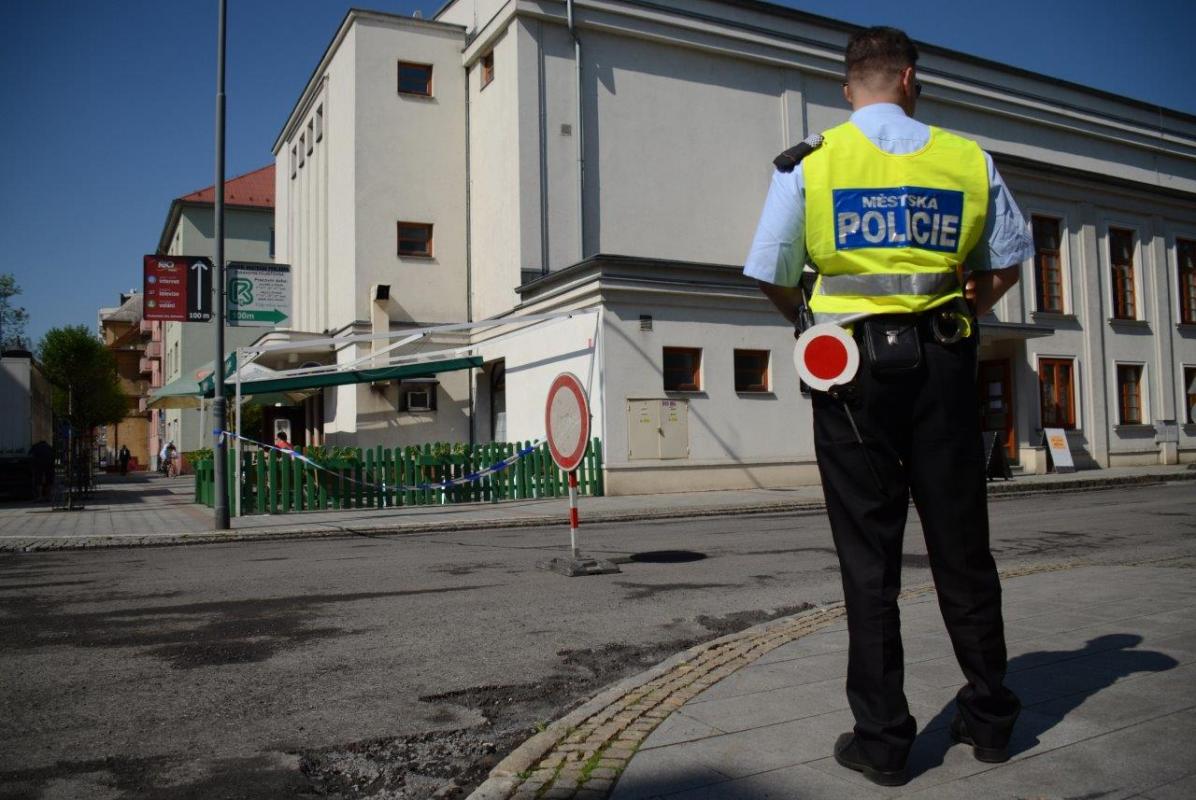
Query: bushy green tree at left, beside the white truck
{"points": [[87, 389]]}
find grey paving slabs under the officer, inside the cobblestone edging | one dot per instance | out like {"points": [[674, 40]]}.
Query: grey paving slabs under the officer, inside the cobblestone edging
{"points": [[1109, 688]]}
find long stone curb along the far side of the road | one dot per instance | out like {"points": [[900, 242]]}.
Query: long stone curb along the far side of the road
{"points": [[338, 532]]}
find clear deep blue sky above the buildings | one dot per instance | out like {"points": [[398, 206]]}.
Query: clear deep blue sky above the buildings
{"points": [[109, 106]]}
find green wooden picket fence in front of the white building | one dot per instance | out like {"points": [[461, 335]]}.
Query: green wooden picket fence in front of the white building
{"points": [[276, 484]]}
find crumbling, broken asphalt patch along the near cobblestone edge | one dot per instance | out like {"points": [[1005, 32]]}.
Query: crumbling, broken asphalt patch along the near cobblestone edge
{"points": [[454, 764]]}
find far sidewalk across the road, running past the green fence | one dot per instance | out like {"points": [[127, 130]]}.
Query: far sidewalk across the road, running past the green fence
{"points": [[150, 510]]}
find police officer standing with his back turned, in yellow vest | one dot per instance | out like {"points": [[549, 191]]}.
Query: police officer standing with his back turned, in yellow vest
{"points": [[907, 227]]}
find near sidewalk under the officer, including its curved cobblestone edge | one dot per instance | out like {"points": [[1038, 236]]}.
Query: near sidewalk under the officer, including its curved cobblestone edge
{"points": [[1105, 659]]}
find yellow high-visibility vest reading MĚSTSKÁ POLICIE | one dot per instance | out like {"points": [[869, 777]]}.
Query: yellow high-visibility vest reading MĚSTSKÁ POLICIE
{"points": [[889, 234]]}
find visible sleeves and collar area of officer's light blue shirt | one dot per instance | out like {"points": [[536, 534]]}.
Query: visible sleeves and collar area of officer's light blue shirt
{"points": [[779, 249]]}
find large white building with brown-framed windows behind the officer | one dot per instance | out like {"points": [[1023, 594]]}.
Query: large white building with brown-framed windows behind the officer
{"points": [[495, 163]]}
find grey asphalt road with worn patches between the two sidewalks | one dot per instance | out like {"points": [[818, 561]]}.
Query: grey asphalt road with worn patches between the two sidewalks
{"points": [[383, 667]]}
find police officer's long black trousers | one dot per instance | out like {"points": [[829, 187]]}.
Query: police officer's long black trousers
{"points": [[922, 435]]}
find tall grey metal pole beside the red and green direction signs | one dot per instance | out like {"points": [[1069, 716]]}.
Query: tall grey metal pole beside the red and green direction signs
{"points": [[221, 508]]}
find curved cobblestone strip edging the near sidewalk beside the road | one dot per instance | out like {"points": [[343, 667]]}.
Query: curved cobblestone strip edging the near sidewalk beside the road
{"points": [[582, 756]]}
